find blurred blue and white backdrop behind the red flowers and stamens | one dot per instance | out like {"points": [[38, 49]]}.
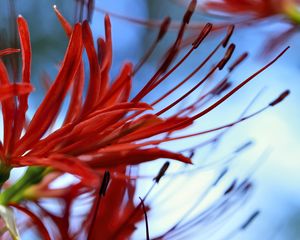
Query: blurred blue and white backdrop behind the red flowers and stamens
{"points": [[273, 161]]}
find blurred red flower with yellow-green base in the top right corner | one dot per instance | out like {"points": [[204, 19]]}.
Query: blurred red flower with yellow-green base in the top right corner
{"points": [[247, 12]]}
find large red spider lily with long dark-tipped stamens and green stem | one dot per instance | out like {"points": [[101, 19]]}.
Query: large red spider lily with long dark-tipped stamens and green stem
{"points": [[105, 134]]}
